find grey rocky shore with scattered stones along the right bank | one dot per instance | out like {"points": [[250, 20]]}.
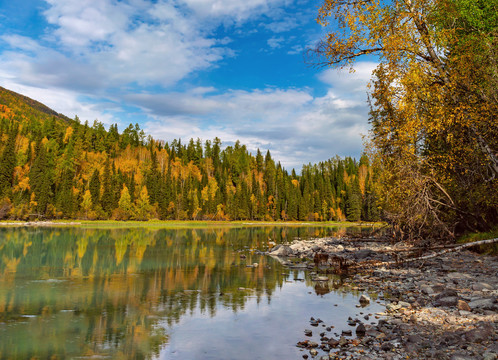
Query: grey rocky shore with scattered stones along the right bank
{"points": [[442, 308]]}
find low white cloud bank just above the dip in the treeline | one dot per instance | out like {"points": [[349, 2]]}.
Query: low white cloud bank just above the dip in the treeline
{"points": [[295, 125]]}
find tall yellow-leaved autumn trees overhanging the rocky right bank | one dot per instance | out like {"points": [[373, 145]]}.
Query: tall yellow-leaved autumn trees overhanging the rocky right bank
{"points": [[433, 107]]}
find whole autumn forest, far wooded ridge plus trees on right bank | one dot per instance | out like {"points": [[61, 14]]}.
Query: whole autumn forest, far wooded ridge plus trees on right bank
{"points": [[430, 167]]}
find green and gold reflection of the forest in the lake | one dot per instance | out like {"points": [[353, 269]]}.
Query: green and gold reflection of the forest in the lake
{"points": [[73, 292]]}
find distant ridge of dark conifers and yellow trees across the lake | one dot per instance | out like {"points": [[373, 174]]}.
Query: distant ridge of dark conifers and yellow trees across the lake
{"points": [[54, 167]]}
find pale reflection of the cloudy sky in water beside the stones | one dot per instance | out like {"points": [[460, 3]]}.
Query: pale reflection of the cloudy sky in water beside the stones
{"points": [[262, 330]]}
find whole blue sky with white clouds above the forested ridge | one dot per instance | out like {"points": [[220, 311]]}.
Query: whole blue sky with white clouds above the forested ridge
{"points": [[187, 69]]}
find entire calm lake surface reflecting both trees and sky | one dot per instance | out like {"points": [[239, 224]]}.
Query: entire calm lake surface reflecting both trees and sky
{"points": [[136, 293]]}
